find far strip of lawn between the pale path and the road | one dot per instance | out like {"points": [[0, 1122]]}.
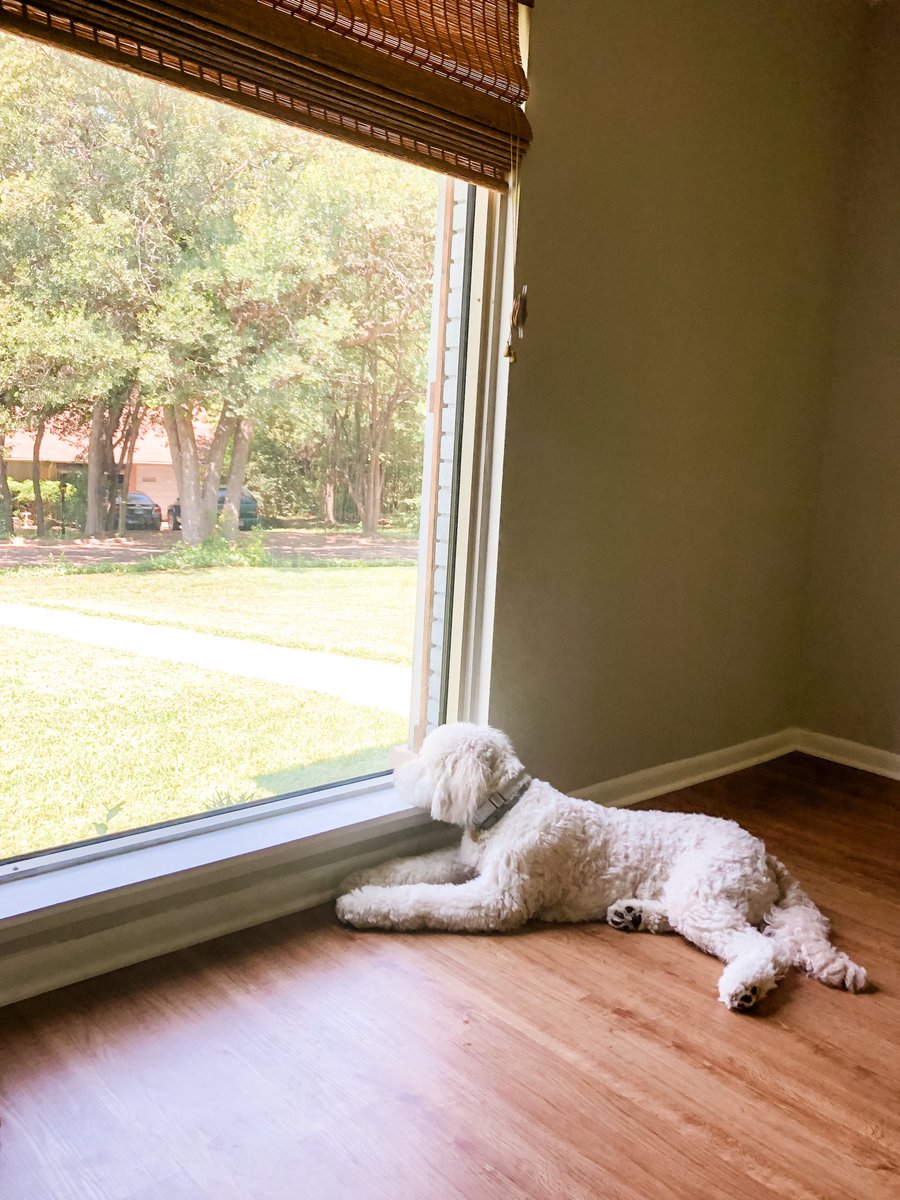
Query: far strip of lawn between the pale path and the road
{"points": [[364, 611]]}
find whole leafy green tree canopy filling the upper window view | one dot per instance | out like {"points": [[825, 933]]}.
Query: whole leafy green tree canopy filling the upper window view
{"points": [[164, 257]]}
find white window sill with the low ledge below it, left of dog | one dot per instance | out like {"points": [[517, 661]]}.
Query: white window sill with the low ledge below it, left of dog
{"points": [[81, 913]]}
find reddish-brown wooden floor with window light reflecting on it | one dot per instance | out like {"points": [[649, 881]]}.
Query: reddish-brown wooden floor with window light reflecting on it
{"points": [[303, 1060]]}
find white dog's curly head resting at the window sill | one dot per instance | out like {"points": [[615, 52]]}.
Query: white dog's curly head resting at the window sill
{"points": [[458, 767]]}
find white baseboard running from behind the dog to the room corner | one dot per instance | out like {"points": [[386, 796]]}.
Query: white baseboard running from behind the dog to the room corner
{"points": [[671, 777]]}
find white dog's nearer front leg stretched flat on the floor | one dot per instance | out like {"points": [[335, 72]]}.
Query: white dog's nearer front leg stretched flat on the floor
{"points": [[476, 907]]}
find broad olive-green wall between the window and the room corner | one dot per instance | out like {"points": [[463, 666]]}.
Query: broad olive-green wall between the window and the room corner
{"points": [[679, 235]]}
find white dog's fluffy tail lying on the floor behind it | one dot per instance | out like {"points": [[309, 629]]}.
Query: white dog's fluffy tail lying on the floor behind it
{"points": [[802, 934]]}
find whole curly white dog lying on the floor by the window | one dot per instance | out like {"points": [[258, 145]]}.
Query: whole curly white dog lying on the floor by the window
{"points": [[531, 853]]}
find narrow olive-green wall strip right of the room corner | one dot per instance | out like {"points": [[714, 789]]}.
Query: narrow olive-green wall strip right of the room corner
{"points": [[854, 650]]}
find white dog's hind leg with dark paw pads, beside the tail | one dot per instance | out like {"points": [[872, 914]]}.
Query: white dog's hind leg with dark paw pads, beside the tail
{"points": [[755, 963]]}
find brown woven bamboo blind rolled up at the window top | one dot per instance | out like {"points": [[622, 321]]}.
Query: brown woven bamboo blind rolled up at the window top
{"points": [[435, 82]]}
